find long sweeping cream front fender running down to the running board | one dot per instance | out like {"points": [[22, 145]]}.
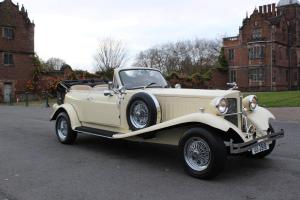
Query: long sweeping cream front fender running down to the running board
{"points": [[201, 118]]}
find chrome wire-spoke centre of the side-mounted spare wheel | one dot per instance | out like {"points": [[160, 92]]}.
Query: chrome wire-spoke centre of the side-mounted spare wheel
{"points": [[139, 114]]}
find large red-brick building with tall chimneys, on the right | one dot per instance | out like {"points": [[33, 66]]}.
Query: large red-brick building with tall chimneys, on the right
{"points": [[265, 56]]}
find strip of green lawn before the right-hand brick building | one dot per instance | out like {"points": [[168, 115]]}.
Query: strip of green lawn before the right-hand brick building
{"points": [[278, 99]]}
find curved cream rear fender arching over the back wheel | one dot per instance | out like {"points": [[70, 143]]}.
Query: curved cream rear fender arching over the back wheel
{"points": [[69, 109]]}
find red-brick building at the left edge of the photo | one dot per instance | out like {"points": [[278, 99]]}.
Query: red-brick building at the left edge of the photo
{"points": [[16, 49]]}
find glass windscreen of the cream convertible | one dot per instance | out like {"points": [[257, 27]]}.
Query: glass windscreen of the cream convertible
{"points": [[138, 78]]}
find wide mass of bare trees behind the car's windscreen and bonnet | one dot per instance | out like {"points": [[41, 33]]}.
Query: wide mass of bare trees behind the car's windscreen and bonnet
{"points": [[189, 56]]}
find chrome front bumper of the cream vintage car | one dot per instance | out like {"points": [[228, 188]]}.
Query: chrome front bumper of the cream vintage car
{"points": [[243, 147]]}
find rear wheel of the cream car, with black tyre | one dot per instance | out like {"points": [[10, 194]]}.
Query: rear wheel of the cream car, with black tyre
{"points": [[64, 132]]}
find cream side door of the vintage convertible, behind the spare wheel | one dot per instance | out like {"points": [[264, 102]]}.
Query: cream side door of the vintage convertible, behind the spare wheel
{"points": [[103, 110]]}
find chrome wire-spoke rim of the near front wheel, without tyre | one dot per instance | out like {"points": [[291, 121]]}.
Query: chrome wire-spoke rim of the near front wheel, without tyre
{"points": [[197, 153]]}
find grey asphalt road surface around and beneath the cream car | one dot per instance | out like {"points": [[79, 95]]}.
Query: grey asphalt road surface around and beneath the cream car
{"points": [[33, 165]]}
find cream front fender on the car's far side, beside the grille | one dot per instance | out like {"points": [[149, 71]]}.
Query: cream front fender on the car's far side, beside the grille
{"points": [[260, 118]]}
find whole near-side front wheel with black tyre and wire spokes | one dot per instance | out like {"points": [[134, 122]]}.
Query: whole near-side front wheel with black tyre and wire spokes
{"points": [[202, 153]]}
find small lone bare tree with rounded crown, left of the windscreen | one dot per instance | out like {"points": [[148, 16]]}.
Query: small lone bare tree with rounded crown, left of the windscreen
{"points": [[111, 54]]}
